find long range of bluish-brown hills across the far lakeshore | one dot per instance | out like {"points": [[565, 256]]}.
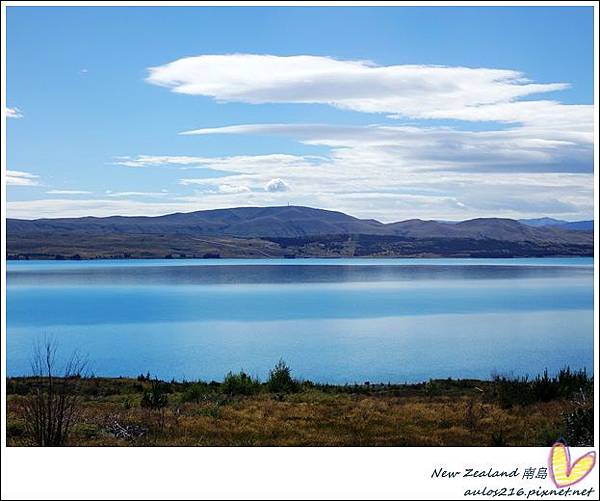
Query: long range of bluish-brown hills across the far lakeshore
{"points": [[290, 231]]}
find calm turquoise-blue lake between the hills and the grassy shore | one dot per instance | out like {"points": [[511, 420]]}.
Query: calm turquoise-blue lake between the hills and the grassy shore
{"points": [[332, 320]]}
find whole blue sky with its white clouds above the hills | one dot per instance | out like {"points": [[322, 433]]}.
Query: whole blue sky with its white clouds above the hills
{"points": [[389, 113]]}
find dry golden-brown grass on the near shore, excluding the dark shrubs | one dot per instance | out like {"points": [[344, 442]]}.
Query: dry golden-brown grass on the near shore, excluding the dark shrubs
{"points": [[397, 416]]}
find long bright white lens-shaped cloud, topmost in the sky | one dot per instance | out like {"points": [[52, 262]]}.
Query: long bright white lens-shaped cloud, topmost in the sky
{"points": [[411, 91]]}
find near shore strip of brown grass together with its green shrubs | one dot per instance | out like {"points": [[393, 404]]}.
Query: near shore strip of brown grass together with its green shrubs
{"points": [[240, 411]]}
